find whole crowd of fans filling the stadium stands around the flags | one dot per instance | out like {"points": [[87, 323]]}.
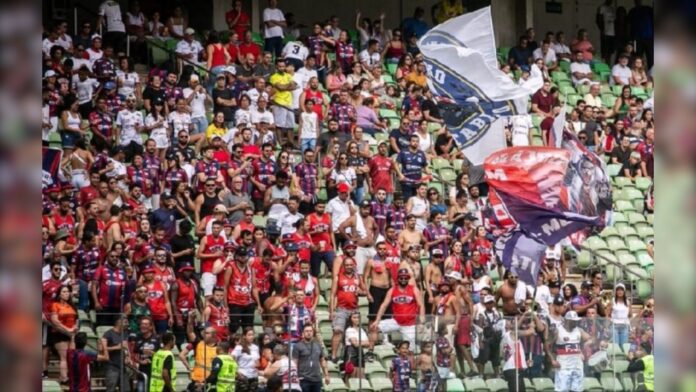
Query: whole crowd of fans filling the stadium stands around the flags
{"points": [[265, 213]]}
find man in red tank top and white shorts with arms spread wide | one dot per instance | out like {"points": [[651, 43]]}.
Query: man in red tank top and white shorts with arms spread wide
{"points": [[406, 304]]}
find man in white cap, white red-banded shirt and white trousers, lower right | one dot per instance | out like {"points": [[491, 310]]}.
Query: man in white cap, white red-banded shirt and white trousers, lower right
{"points": [[568, 340]]}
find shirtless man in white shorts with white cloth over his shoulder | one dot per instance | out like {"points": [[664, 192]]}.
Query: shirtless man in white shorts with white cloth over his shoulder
{"points": [[363, 231]]}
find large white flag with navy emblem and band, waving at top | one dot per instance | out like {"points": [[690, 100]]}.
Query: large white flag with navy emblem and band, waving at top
{"points": [[462, 67]]}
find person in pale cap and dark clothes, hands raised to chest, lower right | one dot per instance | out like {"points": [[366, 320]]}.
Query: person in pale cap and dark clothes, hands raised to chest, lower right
{"points": [[489, 344]]}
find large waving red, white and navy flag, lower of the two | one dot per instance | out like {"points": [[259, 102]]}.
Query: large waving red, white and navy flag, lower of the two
{"points": [[540, 195]]}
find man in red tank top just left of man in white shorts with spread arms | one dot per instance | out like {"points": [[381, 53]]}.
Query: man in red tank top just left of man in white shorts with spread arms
{"points": [[345, 288]]}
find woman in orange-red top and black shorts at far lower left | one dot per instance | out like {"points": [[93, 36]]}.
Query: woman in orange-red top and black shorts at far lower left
{"points": [[64, 323]]}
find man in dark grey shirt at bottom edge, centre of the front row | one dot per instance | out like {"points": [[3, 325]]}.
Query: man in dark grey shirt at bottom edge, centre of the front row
{"points": [[311, 362]]}
